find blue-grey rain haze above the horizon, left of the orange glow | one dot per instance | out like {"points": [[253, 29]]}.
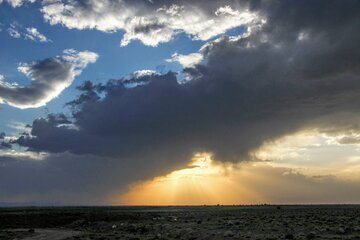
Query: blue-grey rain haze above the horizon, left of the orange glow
{"points": [[73, 179]]}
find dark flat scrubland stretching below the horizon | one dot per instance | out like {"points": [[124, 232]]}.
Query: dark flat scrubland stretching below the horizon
{"points": [[205, 222]]}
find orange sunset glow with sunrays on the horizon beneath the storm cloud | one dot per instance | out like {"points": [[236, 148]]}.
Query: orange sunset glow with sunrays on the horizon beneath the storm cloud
{"points": [[203, 182]]}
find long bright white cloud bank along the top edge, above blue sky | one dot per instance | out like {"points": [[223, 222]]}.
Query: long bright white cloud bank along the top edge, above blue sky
{"points": [[150, 23]]}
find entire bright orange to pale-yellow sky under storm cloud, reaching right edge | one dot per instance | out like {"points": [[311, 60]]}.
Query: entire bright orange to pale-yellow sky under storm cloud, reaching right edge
{"points": [[302, 168]]}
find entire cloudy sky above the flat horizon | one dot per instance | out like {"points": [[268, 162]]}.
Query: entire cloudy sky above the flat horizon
{"points": [[154, 102]]}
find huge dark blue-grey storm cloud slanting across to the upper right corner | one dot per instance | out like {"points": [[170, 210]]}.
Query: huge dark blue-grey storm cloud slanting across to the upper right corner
{"points": [[301, 70]]}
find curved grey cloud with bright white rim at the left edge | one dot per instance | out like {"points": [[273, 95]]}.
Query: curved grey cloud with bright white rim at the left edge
{"points": [[49, 78]]}
